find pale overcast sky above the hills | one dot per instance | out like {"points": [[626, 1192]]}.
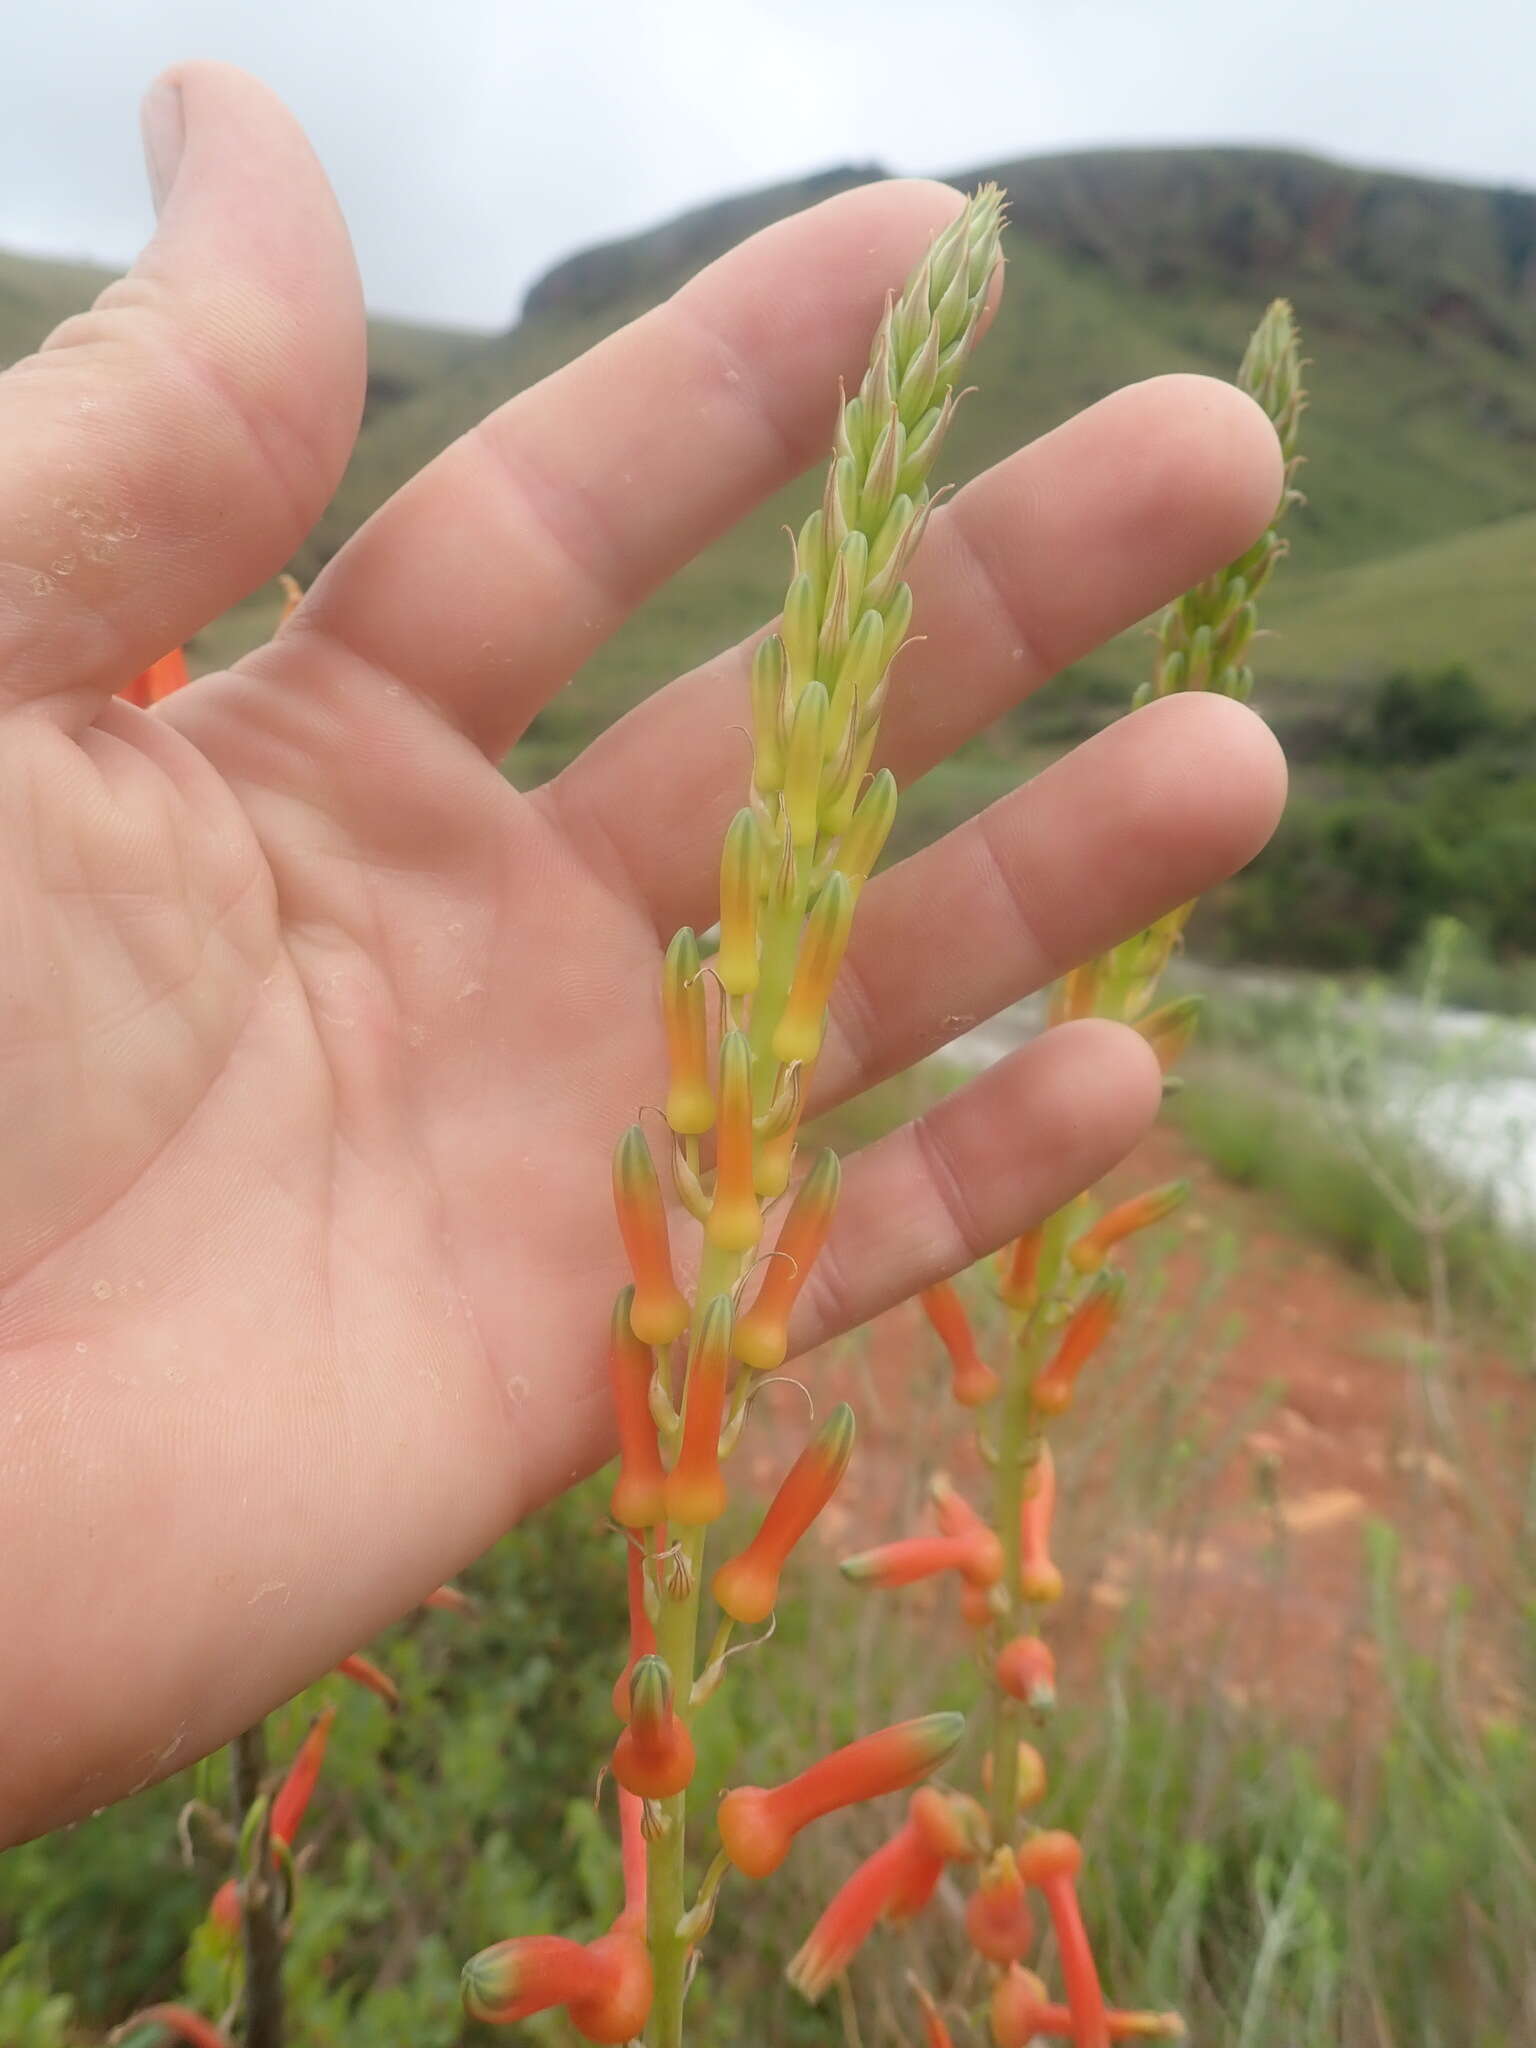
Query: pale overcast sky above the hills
{"points": [[474, 142]]}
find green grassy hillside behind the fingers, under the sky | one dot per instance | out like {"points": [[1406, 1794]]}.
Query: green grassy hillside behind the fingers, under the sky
{"points": [[1418, 302]]}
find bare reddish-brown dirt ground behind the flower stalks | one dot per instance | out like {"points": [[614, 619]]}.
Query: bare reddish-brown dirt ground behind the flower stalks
{"points": [[1228, 1469]]}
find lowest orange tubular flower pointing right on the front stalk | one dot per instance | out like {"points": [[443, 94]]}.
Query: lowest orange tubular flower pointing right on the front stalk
{"points": [[759, 1826]]}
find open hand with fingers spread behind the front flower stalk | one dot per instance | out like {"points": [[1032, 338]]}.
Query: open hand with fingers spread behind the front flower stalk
{"points": [[316, 1037]]}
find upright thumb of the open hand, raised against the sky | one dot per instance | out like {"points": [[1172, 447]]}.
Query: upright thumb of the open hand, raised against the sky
{"points": [[169, 450]]}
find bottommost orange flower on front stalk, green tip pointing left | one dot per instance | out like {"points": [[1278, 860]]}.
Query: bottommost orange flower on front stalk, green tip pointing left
{"points": [[605, 1988]]}
